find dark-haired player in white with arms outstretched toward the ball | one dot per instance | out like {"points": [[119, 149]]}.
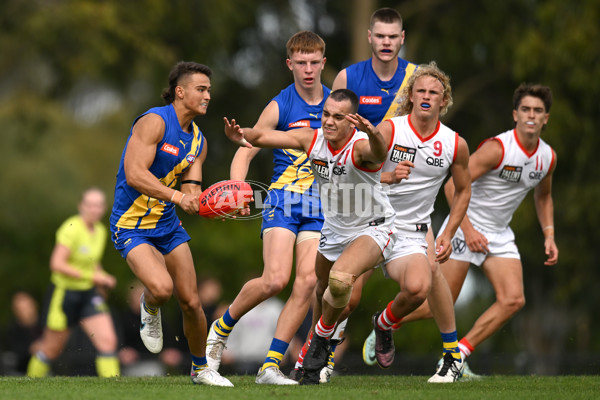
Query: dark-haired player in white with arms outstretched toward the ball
{"points": [[358, 232]]}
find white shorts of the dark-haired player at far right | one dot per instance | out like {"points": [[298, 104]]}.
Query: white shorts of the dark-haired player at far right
{"points": [[500, 244]]}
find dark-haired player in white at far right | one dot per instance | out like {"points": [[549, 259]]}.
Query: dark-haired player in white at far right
{"points": [[503, 170]]}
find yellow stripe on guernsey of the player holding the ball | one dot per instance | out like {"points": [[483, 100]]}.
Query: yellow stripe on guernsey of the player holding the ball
{"points": [[149, 209]]}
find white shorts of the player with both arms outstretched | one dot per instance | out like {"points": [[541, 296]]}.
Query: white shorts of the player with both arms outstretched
{"points": [[332, 244]]}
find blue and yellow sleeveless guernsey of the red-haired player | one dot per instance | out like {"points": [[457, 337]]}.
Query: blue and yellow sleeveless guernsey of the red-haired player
{"points": [[291, 170]]}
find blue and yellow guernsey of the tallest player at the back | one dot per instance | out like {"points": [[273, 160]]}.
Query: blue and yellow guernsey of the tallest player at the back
{"points": [[378, 100]]}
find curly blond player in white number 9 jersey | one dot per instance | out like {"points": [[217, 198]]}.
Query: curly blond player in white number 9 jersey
{"points": [[421, 152]]}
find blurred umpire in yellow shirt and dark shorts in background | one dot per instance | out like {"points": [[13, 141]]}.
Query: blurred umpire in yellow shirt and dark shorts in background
{"points": [[73, 296]]}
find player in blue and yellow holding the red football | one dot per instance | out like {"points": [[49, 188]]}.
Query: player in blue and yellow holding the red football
{"points": [[165, 147]]}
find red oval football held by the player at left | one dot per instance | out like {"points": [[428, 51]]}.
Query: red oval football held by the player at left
{"points": [[224, 198]]}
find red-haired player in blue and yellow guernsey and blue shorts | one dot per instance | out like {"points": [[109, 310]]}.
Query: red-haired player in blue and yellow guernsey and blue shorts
{"points": [[292, 219]]}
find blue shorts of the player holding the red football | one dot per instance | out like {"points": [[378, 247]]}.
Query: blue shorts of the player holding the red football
{"points": [[127, 239]]}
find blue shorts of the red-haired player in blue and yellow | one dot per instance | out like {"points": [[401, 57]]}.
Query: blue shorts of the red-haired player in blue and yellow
{"points": [[293, 211]]}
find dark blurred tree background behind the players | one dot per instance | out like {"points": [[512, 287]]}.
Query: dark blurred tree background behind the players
{"points": [[74, 75]]}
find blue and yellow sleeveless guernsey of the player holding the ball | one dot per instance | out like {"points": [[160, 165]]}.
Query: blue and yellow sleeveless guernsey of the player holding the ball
{"points": [[175, 153]]}
